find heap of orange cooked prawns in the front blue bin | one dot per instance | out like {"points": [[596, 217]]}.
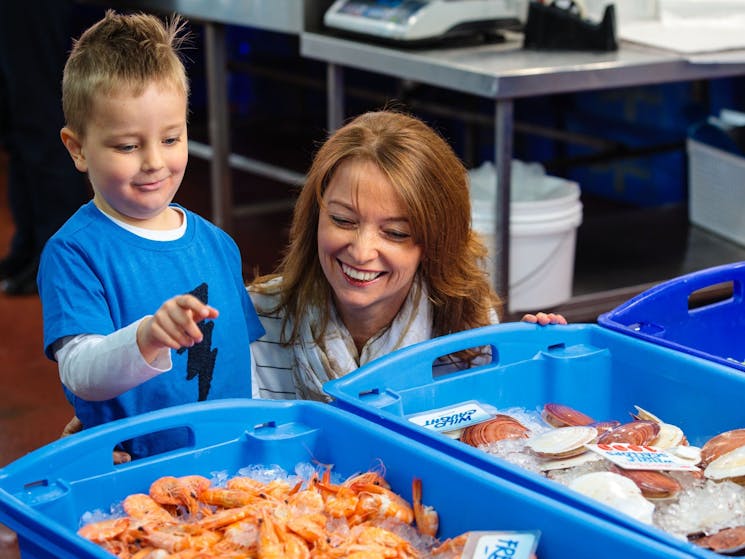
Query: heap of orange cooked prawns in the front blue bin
{"points": [[193, 517]]}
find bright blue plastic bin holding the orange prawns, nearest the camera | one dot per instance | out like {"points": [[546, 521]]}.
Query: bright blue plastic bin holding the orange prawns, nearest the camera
{"points": [[44, 494]]}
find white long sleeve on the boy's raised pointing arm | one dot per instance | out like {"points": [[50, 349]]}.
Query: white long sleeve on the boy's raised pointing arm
{"points": [[96, 368]]}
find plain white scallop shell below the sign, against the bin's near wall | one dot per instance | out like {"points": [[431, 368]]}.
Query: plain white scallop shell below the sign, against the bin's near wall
{"points": [[617, 492]]}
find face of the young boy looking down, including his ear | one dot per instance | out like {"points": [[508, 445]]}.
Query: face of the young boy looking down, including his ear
{"points": [[135, 153]]}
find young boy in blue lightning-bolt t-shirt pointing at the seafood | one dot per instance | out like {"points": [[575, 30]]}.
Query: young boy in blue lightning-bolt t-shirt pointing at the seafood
{"points": [[105, 275]]}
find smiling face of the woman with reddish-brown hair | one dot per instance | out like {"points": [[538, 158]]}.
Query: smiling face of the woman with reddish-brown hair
{"points": [[365, 244]]}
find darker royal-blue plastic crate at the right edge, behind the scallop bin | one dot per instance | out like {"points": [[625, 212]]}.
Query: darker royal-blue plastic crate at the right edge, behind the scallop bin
{"points": [[668, 315]]}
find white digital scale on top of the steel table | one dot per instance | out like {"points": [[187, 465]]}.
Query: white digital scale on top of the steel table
{"points": [[412, 21]]}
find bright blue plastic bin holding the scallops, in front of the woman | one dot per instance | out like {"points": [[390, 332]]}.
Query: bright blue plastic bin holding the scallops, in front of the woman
{"points": [[601, 372]]}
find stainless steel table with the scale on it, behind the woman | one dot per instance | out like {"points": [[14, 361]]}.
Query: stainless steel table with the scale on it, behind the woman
{"points": [[502, 72]]}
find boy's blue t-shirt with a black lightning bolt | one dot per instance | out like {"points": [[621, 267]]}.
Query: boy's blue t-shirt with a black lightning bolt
{"points": [[96, 277]]}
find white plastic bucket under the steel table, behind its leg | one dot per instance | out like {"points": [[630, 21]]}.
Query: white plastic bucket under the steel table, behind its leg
{"points": [[543, 235]]}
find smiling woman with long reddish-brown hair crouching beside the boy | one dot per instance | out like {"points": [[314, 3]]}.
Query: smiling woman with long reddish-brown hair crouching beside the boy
{"points": [[381, 256]]}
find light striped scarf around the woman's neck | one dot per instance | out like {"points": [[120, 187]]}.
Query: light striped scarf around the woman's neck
{"points": [[336, 355]]}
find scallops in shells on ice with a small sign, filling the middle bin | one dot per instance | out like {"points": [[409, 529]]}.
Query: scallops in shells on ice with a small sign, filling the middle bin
{"points": [[644, 467]]}
